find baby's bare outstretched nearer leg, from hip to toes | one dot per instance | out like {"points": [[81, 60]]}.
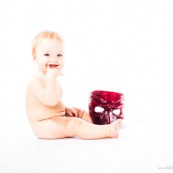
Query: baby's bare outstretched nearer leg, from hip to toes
{"points": [[62, 127]]}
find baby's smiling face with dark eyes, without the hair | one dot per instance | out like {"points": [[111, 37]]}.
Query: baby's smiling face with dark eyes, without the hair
{"points": [[49, 54]]}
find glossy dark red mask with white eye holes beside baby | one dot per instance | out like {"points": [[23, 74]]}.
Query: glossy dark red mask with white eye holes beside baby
{"points": [[105, 106]]}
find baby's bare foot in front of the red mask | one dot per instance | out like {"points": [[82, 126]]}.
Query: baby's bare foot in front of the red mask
{"points": [[113, 128]]}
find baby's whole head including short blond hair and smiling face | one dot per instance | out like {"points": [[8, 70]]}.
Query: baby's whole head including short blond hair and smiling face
{"points": [[47, 50]]}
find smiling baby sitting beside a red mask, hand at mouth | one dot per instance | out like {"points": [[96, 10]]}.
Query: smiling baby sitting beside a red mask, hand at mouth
{"points": [[46, 112]]}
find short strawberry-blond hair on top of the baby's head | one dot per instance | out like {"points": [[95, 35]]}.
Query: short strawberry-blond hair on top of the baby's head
{"points": [[42, 35]]}
